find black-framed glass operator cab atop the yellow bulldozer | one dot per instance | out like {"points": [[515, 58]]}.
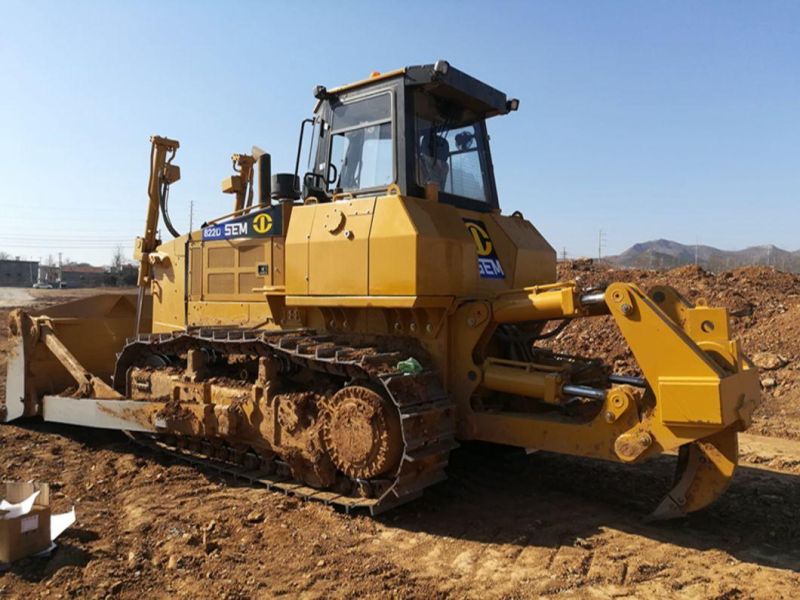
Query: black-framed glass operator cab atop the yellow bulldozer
{"points": [[415, 128]]}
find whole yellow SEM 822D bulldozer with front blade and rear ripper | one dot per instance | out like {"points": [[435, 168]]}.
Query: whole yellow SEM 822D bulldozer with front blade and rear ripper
{"points": [[341, 330]]}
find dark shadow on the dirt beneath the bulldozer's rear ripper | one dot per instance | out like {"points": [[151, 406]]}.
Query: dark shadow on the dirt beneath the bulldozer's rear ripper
{"points": [[499, 495]]}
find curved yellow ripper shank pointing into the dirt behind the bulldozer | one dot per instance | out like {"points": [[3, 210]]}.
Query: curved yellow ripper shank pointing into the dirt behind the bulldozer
{"points": [[705, 469]]}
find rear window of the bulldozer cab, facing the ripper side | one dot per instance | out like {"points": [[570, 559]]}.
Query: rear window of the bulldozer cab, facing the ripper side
{"points": [[450, 149]]}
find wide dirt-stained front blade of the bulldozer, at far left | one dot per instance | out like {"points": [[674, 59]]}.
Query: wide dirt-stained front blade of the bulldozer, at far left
{"points": [[69, 346]]}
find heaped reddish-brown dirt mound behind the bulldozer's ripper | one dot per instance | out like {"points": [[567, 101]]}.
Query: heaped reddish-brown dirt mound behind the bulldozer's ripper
{"points": [[764, 305]]}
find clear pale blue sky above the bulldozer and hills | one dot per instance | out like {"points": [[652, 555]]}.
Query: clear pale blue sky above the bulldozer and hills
{"points": [[646, 119]]}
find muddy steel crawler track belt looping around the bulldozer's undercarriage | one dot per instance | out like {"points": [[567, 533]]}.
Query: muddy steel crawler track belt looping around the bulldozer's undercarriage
{"points": [[426, 412]]}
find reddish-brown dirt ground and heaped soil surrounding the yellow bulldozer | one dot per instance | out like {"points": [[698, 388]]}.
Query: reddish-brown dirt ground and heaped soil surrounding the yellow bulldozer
{"points": [[504, 525]]}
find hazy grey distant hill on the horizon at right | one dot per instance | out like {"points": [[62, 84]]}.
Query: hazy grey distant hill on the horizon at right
{"points": [[665, 254]]}
